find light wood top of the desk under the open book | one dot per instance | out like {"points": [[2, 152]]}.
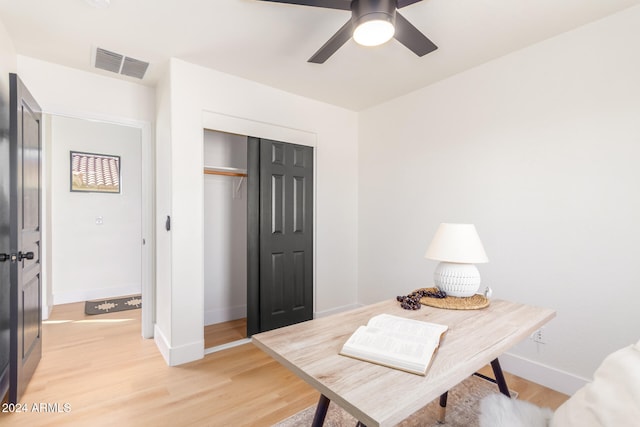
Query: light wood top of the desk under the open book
{"points": [[380, 396]]}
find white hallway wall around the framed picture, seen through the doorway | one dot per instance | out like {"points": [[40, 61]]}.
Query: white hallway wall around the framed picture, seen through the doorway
{"points": [[96, 237]]}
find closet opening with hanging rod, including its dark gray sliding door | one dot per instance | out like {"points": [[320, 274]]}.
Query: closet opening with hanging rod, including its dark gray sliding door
{"points": [[258, 236]]}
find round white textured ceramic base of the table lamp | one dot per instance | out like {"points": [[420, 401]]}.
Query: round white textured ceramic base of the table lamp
{"points": [[457, 279]]}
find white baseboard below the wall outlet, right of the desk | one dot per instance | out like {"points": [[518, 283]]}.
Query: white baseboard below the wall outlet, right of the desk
{"points": [[542, 374]]}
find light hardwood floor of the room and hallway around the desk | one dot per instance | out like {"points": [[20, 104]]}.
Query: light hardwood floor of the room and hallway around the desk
{"points": [[109, 375]]}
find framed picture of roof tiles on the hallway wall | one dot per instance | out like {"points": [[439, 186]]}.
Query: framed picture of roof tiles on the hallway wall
{"points": [[95, 173]]}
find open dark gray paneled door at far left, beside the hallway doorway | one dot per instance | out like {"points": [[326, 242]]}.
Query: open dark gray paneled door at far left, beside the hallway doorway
{"points": [[26, 298]]}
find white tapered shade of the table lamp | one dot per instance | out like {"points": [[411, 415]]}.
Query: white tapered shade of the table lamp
{"points": [[457, 243]]}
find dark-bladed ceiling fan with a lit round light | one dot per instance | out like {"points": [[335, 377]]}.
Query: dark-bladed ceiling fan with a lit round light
{"points": [[372, 23]]}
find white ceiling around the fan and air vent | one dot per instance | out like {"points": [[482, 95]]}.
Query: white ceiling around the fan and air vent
{"points": [[271, 42]]}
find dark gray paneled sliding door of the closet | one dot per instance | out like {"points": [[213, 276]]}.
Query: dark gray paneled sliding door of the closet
{"points": [[280, 288]]}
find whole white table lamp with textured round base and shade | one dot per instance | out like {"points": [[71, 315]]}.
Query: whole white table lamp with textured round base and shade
{"points": [[458, 248]]}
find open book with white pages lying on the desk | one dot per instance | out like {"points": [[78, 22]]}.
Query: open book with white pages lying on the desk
{"points": [[396, 342]]}
